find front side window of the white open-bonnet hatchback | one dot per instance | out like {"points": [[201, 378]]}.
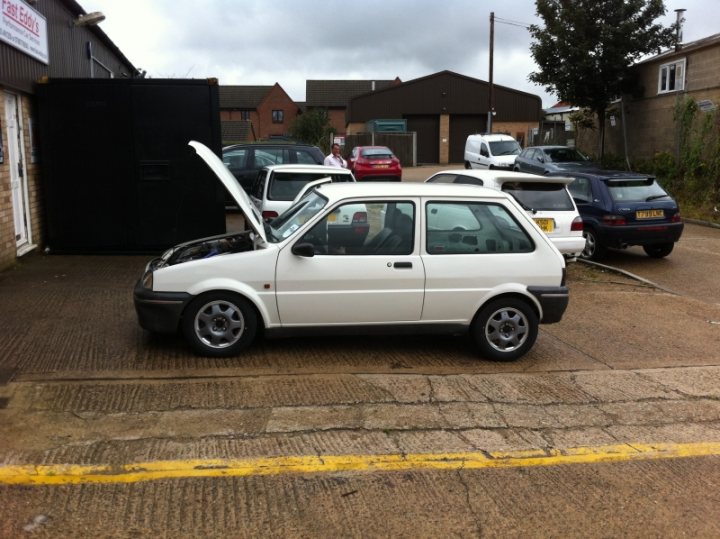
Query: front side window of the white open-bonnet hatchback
{"points": [[378, 228]]}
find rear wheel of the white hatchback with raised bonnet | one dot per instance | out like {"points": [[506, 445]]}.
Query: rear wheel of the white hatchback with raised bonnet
{"points": [[505, 329]]}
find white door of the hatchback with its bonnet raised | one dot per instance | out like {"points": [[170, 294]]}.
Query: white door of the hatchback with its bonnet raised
{"points": [[367, 273]]}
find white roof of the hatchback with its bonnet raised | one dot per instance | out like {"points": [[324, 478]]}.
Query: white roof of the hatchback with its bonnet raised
{"points": [[338, 191]]}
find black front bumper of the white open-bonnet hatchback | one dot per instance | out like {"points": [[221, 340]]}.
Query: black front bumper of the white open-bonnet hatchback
{"points": [[159, 312]]}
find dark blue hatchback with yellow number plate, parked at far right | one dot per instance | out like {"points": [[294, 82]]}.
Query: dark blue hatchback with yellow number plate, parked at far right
{"points": [[620, 209]]}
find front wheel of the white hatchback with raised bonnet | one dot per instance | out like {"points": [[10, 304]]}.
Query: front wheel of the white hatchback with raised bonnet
{"points": [[219, 324]]}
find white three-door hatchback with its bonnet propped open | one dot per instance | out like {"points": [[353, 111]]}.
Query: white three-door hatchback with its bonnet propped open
{"points": [[497, 279]]}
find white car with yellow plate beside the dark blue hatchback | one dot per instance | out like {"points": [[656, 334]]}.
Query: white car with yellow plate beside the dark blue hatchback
{"points": [[546, 200]]}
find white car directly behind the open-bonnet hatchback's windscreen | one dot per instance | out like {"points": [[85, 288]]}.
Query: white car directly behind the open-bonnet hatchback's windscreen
{"points": [[276, 187]]}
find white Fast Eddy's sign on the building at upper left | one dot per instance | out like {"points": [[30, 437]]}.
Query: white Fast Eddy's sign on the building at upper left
{"points": [[24, 28]]}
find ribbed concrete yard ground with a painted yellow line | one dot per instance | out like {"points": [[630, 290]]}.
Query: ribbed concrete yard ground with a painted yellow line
{"points": [[610, 426]]}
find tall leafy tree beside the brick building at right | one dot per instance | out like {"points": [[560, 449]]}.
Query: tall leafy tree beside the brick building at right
{"points": [[586, 48]]}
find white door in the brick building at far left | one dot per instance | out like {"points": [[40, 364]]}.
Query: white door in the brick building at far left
{"points": [[16, 166]]}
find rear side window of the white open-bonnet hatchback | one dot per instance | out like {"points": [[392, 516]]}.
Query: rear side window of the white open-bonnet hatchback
{"points": [[473, 228]]}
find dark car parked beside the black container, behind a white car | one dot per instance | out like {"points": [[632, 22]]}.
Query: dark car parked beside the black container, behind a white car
{"points": [[245, 160]]}
